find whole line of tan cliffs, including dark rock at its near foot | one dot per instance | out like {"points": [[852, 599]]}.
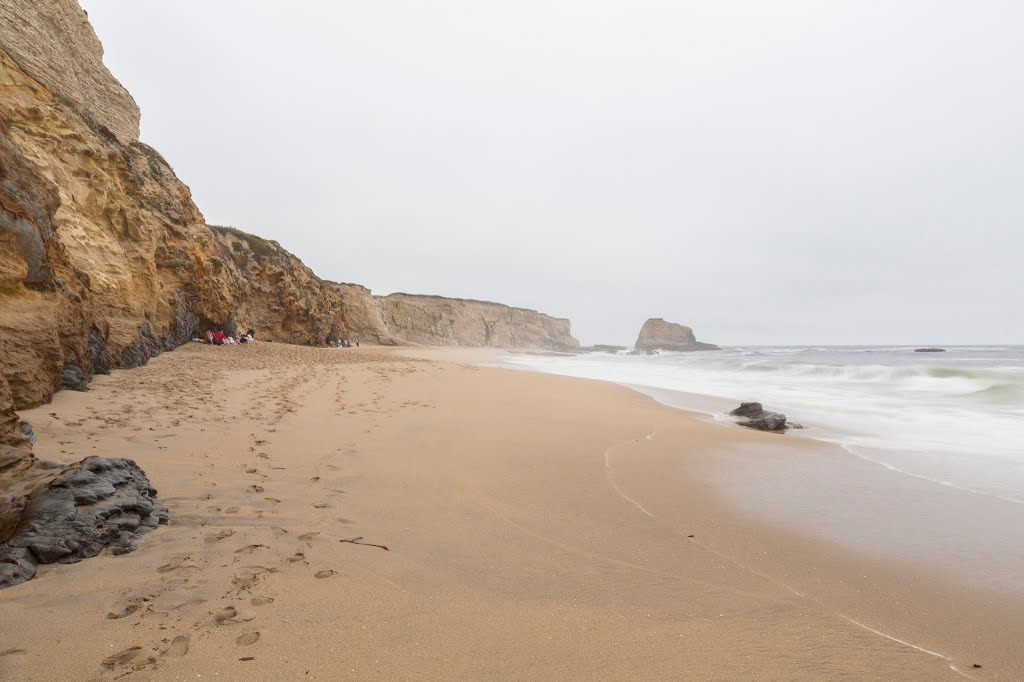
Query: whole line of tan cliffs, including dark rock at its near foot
{"points": [[106, 263]]}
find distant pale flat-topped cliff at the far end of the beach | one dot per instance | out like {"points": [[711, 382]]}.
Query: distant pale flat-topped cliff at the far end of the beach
{"points": [[455, 322]]}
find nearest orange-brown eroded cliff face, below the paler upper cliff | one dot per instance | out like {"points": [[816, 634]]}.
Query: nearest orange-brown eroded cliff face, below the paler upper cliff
{"points": [[107, 261]]}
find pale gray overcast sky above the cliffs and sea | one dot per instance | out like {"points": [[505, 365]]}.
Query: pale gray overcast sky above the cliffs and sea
{"points": [[786, 173]]}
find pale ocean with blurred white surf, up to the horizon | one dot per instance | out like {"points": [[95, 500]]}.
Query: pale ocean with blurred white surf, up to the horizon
{"points": [[955, 419]]}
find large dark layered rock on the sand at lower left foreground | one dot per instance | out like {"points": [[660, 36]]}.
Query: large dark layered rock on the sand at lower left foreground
{"points": [[73, 514]]}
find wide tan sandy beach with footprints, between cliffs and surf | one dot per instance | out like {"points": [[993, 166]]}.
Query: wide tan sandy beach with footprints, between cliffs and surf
{"points": [[393, 514]]}
